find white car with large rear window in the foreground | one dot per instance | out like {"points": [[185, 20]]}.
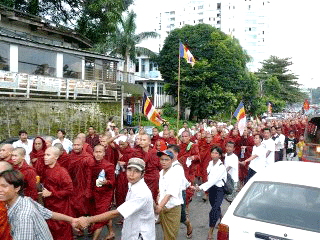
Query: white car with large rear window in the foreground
{"points": [[282, 202]]}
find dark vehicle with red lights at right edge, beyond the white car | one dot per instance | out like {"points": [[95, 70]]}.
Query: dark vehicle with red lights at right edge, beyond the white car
{"points": [[311, 150]]}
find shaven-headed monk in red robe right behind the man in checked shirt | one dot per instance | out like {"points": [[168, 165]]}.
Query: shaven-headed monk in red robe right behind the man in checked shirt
{"points": [[29, 173]]}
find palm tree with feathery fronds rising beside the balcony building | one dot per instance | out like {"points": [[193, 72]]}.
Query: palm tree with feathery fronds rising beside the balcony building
{"points": [[124, 40]]}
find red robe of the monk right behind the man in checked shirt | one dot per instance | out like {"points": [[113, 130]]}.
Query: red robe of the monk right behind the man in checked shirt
{"points": [[30, 180]]}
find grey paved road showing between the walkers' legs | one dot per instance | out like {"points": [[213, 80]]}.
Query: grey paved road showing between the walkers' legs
{"points": [[199, 214]]}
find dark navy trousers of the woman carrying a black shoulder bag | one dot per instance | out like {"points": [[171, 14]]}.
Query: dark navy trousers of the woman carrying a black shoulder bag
{"points": [[215, 198]]}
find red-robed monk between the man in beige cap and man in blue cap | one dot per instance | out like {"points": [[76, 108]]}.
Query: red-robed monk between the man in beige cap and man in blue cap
{"points": [[153, 167]]}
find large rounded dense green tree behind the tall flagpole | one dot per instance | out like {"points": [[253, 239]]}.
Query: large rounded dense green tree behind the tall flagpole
{"points": [[218, 79]]}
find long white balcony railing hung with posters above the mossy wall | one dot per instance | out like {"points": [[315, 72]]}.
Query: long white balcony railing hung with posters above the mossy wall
{"points": [[19, 85]]}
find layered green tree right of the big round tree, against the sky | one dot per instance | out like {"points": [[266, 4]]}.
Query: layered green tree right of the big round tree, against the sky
{"points": [[276, 80]]}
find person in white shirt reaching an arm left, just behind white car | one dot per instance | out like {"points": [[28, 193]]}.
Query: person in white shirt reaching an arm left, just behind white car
{"points": [[258, 160]]}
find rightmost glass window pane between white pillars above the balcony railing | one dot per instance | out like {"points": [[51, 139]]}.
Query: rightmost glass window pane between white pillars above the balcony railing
{"points": [[72, 66]]}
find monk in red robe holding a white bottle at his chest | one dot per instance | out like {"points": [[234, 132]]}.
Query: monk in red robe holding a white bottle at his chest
{"points": [[102, 190]]}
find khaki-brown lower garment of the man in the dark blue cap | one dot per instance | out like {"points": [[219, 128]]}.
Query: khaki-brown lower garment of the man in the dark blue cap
{"points": [[170, 222]]}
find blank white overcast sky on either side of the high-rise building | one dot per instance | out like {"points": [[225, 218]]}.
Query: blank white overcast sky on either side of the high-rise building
{"points": [[293, 32]]}
